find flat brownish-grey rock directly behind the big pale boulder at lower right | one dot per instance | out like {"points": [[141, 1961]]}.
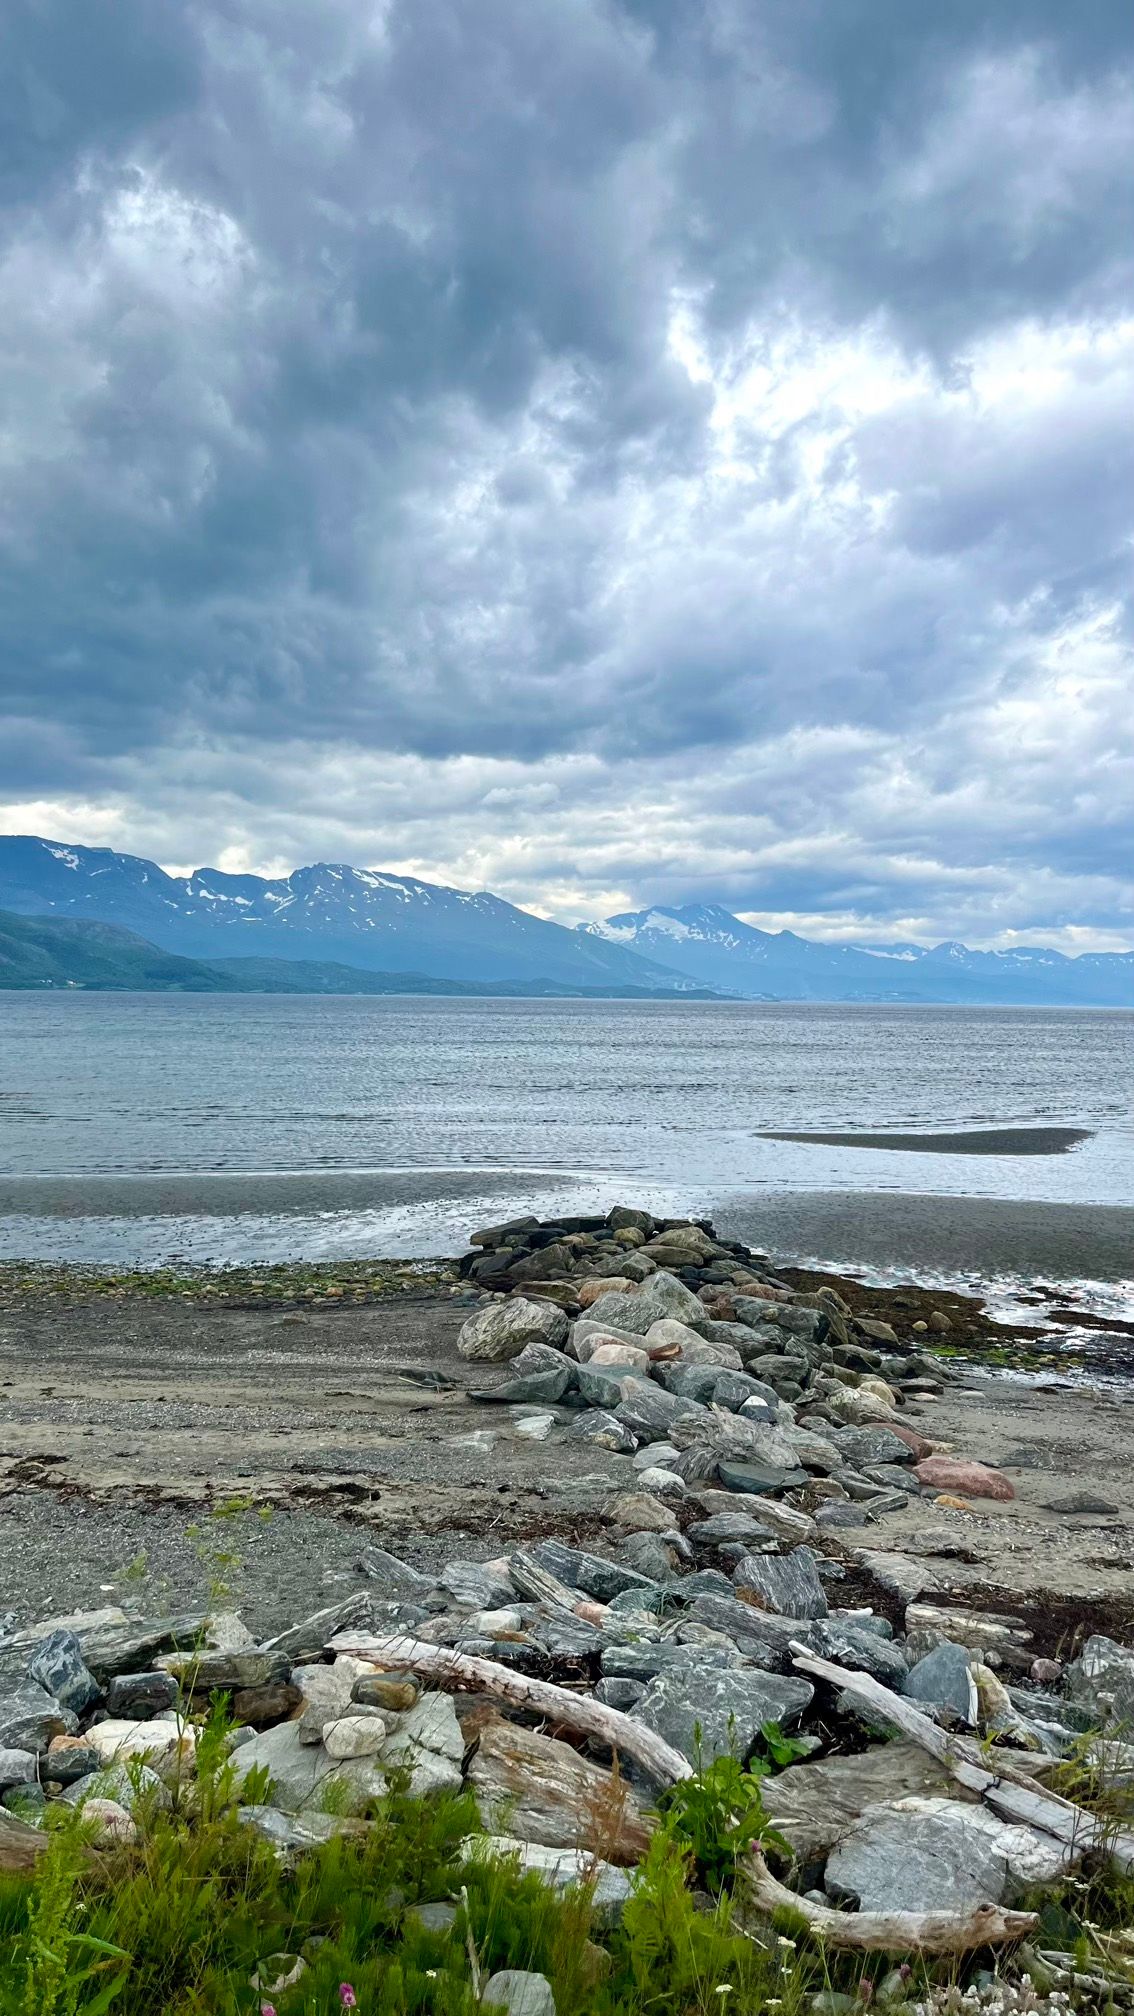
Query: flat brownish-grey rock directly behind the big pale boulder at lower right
{"points": [[814, 1805]]}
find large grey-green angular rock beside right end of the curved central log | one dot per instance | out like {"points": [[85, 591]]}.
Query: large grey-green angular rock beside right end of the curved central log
{"points": [[709, 1713]]}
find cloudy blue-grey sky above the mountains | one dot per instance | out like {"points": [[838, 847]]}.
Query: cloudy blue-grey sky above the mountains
{"points": [[614, 455]]}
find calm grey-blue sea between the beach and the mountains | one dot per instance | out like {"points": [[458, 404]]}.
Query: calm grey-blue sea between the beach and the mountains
{"points": [[146, 1128]]}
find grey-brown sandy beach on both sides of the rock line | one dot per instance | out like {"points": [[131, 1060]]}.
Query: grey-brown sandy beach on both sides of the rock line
{"points": [[152, 1448]]}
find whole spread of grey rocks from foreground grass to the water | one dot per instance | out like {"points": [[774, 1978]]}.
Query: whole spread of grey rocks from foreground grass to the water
{"points": [[760, 1428]]}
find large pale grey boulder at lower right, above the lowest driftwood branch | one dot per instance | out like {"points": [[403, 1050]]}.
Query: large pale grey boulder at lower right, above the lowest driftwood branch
{"points": [[927, 1854]]}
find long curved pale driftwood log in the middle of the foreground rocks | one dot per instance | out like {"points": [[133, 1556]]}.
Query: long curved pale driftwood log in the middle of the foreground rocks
{"points": [[463, 1674]]}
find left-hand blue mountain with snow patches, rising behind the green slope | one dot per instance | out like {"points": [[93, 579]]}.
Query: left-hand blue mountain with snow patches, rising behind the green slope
{"points": [[322, 912]]}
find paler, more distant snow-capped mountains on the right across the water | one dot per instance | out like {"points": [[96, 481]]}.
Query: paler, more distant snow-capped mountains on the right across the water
{"points": [[719, 951]]}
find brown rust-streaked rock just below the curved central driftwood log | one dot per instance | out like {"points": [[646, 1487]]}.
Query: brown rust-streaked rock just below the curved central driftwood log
{"points": [[546, 1791]]}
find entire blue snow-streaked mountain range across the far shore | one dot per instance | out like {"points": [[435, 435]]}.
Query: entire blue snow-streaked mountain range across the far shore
{"points": [[334, 928]]}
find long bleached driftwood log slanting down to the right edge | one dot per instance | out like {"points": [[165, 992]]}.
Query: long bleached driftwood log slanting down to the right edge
{"points": [[1010, 1793]]}
